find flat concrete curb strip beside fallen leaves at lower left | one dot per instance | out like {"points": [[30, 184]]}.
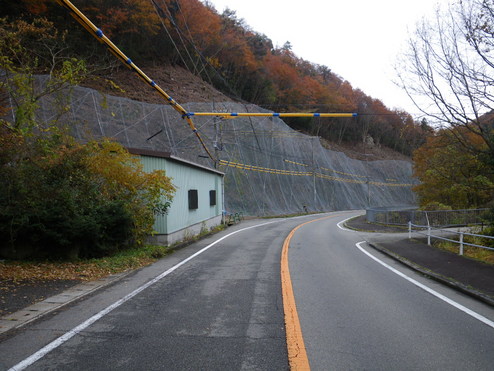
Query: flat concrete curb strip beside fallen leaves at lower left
{"points": [[33, 312]]}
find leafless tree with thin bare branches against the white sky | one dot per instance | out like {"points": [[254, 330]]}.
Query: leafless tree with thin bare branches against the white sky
{"points": [[448, 71]]}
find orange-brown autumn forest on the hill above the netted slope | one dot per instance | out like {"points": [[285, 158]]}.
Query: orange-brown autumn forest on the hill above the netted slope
{"points": [[239, 61]]}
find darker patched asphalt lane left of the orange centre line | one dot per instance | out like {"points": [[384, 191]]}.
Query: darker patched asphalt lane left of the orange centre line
{"points": [[221, 310]]}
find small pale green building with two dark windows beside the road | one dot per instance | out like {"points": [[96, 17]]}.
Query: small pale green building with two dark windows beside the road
{"points": [[198, 201]]}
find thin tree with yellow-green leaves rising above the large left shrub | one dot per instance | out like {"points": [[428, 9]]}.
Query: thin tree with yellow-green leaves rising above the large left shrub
{"points": [[25, 50]]}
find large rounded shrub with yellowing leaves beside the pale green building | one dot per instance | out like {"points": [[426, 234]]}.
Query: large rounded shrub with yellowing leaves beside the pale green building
{"points": [[68, 200]]}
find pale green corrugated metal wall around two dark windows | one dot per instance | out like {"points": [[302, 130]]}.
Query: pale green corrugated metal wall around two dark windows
{"points": [[185, 178]]}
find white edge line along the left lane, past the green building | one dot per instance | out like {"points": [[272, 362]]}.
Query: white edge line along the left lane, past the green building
{"points": [[68, 335]]}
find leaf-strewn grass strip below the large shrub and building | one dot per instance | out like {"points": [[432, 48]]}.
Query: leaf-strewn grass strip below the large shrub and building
{"points": [[93, 269]]}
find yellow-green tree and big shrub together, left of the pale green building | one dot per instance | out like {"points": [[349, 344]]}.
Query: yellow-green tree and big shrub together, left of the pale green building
{"points": [[59, 198]]}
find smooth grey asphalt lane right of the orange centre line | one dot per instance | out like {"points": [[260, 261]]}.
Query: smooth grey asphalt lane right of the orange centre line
{"points": [[357, 314]]}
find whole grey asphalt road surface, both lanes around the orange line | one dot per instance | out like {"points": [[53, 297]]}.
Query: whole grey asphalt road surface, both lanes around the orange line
{"points": [[217, 305]]}
